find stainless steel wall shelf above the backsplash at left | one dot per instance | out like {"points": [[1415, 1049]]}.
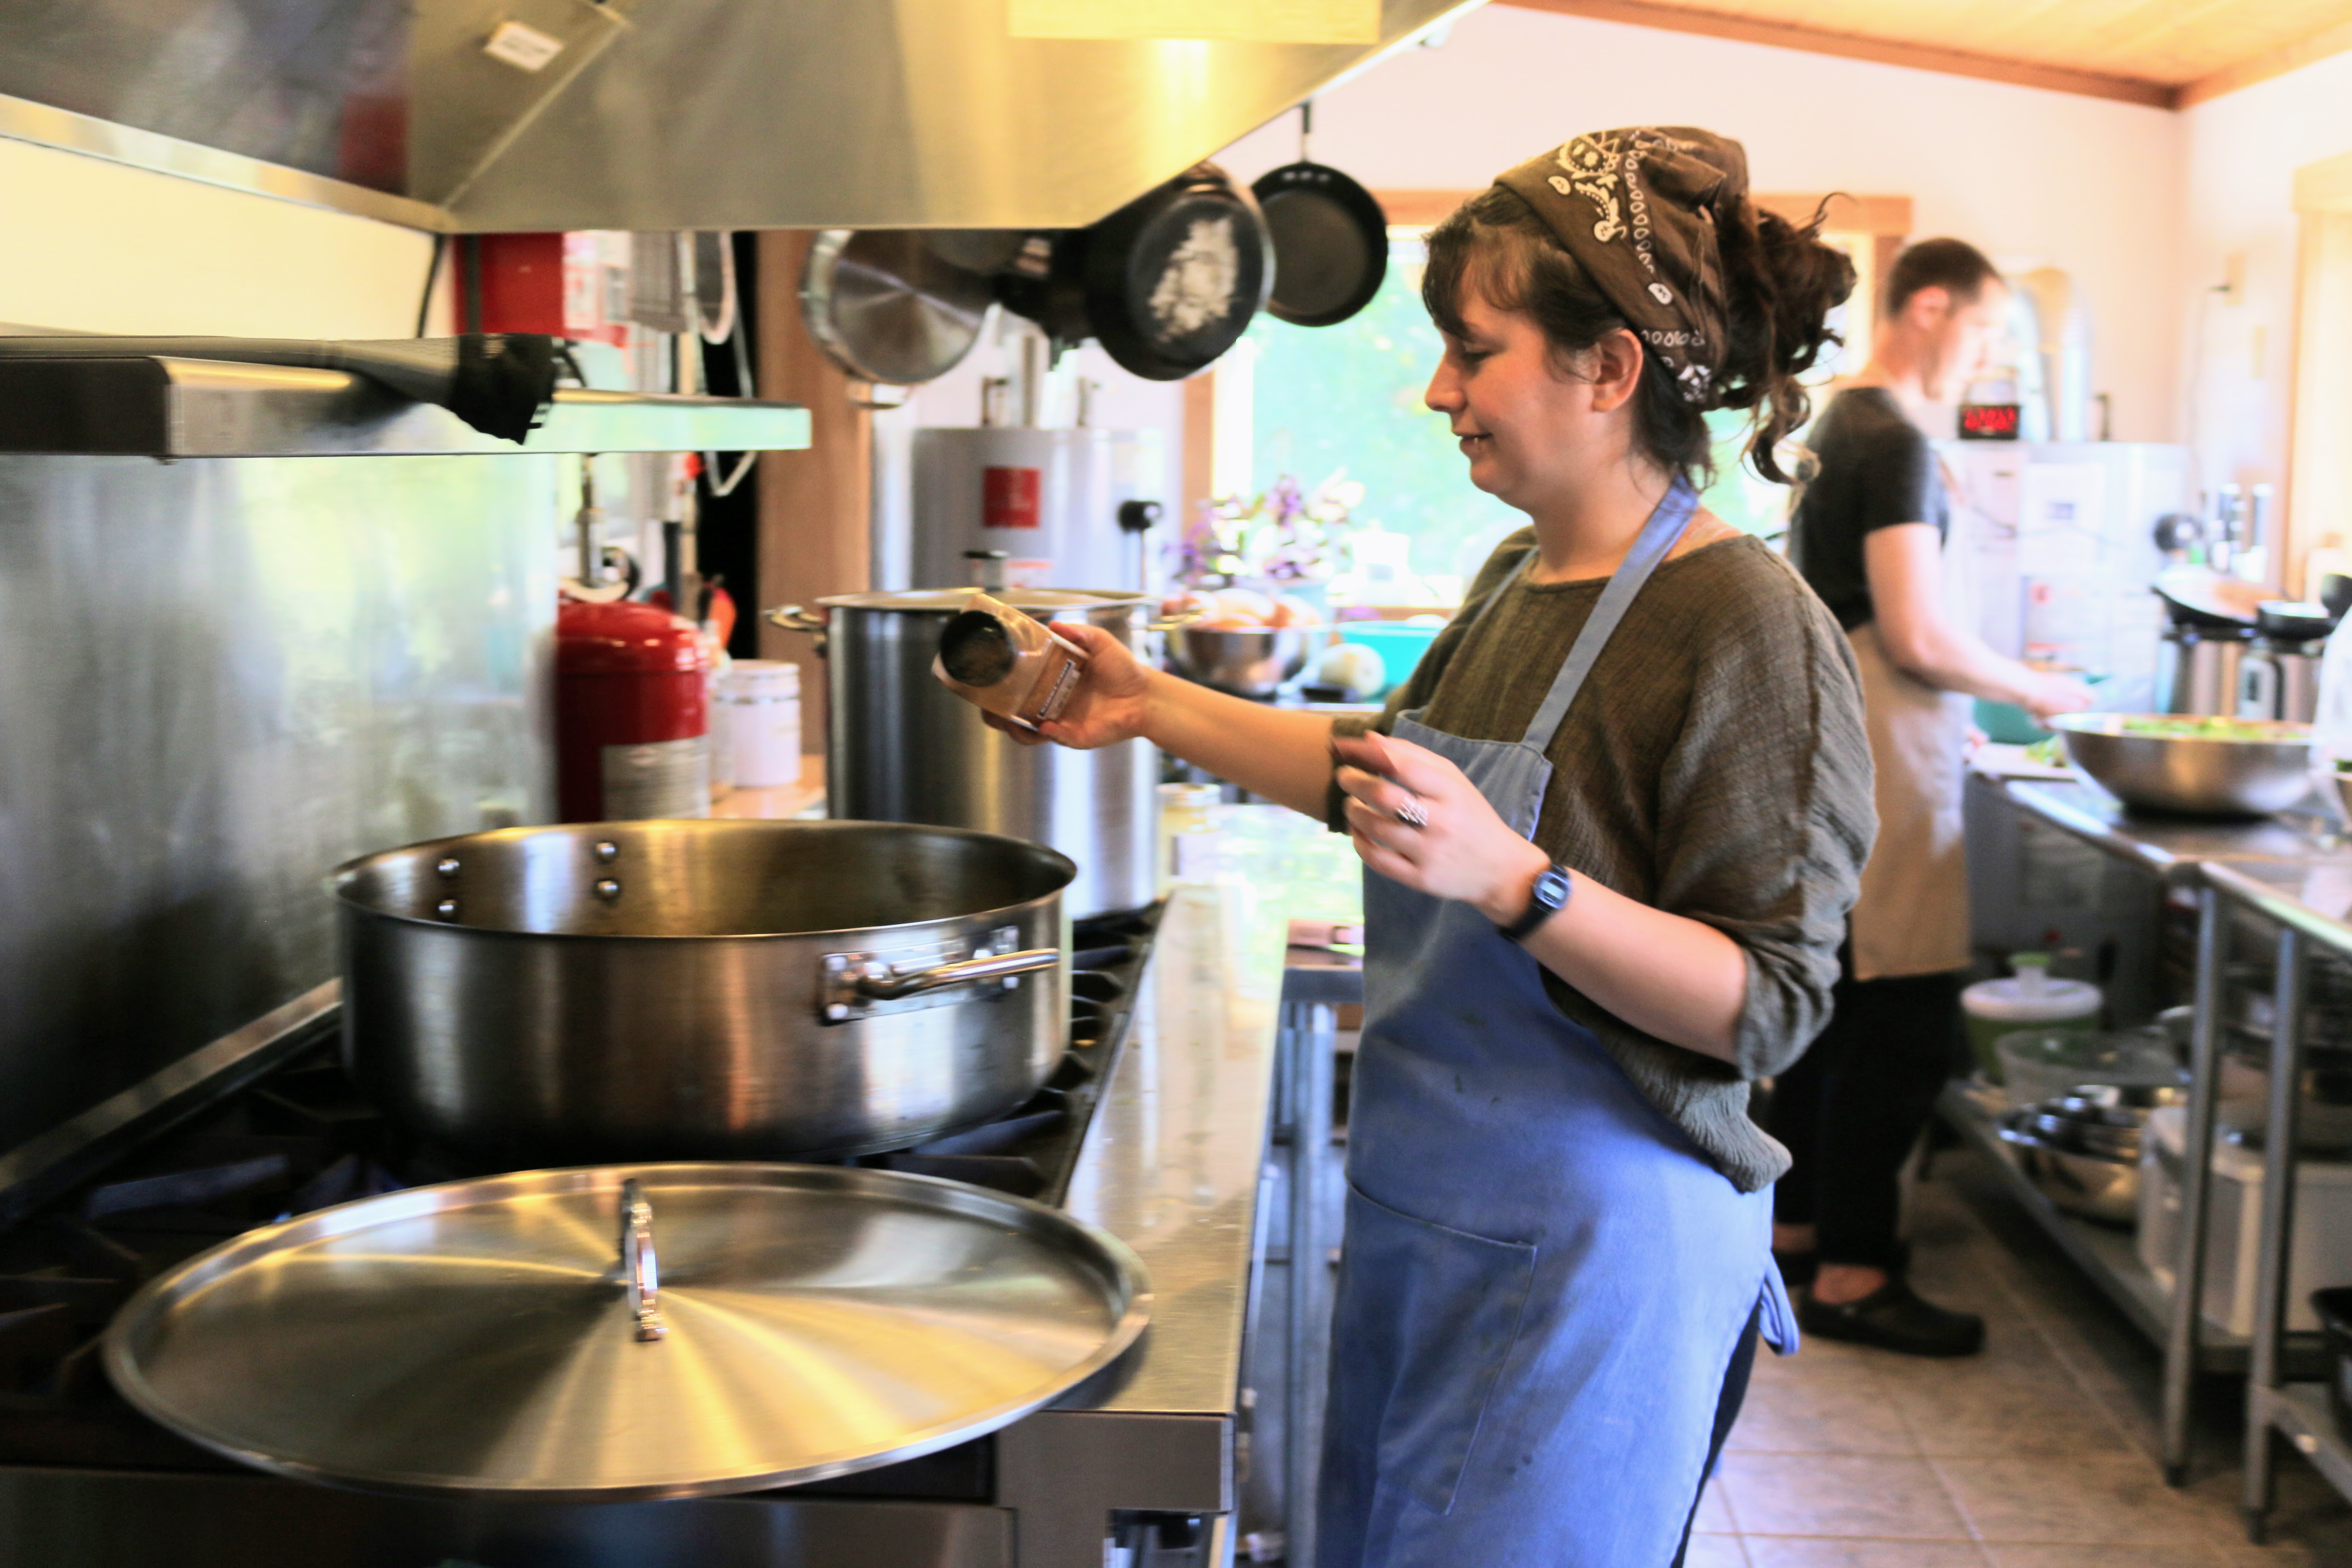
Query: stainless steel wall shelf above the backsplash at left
{"points": [[171, 408]]}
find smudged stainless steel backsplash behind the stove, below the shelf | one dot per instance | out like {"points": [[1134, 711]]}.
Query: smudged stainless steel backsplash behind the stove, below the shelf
{"points": [[220, 681]]}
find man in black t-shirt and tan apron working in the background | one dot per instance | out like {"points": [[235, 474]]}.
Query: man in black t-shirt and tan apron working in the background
{"points": [[1869, 537]]}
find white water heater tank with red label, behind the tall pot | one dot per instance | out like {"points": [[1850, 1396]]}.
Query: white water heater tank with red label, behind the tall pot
{"points": [[1071, 509]]}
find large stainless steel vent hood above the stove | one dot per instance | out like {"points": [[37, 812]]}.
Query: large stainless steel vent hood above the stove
{"points": [[650, 114]]}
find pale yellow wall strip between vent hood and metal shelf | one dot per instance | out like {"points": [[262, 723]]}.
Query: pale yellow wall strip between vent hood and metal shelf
{"points": [[93, 246]]}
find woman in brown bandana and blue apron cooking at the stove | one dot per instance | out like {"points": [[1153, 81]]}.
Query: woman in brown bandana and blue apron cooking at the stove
{"points": [[1610, 831]]}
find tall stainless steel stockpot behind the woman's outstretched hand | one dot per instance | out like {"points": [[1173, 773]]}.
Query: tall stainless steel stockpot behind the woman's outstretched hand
{"points": [[902, 749]]}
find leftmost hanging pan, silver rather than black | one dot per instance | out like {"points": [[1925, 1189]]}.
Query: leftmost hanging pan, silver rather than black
{"points": [[888, 307]]}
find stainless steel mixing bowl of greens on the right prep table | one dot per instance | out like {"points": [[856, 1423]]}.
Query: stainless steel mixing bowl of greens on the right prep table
{"points": [[2198, 775]]}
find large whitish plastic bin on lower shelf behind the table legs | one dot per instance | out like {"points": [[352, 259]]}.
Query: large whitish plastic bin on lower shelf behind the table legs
{"points": [[2323, 1245]]}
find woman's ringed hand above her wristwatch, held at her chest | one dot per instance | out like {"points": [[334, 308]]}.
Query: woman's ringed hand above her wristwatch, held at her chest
{"points": [[1457, 850]]}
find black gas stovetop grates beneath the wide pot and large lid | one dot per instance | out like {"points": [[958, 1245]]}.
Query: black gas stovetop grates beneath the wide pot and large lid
{"points": [[302, 1137]]}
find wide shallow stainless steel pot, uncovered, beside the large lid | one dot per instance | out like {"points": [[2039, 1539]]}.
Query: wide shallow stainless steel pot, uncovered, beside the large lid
{"points": [[700, 991]]}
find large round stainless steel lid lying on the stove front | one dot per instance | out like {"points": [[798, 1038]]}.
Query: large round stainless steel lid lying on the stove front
{"points": [[627, 1332]]}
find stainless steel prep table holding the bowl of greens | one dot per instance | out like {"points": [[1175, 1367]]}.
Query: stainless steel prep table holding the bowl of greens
{"points": [[2294, 857]]}
